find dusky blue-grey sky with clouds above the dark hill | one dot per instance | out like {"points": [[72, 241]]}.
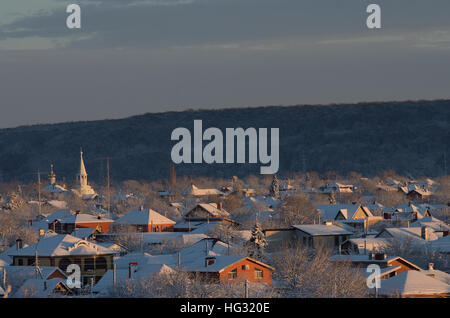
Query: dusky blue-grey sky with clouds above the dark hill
{"points": [[137, 56]]}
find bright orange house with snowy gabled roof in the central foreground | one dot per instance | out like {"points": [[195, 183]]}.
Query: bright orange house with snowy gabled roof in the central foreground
{"points": [[231, 269]]}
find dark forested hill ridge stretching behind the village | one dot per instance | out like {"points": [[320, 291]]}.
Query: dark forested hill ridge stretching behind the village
{"points": [[408, 137]]}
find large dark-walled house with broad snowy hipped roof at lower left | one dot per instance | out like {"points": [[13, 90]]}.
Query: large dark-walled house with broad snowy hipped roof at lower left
{"points": [[62, 250]]}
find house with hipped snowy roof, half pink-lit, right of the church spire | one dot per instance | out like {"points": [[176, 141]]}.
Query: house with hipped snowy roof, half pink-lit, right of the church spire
{"points": [[146, 220]]}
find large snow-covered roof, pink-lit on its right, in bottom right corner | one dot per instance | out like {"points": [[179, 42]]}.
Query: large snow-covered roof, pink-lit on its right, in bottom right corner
{"points": [[413, 283]]}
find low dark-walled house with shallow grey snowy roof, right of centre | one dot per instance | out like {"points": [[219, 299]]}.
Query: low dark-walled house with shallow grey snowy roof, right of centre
{"points": [[321, 235]]}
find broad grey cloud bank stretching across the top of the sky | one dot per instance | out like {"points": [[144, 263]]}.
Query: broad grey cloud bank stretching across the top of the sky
{"points": [[148, 23]]}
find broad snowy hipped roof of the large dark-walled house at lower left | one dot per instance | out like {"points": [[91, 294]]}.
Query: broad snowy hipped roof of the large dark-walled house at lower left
{"points": [[62, 245]]}
